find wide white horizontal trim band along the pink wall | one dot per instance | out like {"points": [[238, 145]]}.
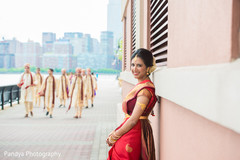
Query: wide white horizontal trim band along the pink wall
{"points": [[212, 91]]}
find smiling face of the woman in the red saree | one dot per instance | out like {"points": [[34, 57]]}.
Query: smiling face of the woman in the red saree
{"points": [[138, 68]]}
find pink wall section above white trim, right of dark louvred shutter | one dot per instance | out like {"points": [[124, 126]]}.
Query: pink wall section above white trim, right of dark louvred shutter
{"points": [[201, 32]]}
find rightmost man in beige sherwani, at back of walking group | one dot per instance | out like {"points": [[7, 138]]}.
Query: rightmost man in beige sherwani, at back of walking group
{"points": [[89, 88]]}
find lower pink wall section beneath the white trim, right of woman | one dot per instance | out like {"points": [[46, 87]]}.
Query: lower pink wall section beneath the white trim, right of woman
{"points": [[188, 136]]}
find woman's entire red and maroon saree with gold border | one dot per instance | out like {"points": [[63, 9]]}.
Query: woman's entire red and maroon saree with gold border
{"points": [[137, 143]]}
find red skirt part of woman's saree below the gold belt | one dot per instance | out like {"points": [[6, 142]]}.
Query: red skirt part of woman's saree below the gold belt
{"points": [[133, 145]]}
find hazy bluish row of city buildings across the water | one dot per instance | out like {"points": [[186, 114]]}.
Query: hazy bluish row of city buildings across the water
{"points": [[73, 50]]}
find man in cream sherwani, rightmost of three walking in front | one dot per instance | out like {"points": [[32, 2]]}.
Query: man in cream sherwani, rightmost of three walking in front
{"points": [[76, 93]]}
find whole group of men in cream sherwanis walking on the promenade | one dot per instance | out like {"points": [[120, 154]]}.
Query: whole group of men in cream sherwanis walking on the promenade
{"points": [[78, 88]]}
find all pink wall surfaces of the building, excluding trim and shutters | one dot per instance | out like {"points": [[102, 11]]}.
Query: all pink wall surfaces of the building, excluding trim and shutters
{"points": [[201, 32]]}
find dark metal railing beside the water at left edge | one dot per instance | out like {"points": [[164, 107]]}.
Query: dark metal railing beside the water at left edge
{"points": [[9, 94]]}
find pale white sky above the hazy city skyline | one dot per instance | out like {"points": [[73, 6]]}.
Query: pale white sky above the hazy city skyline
{"points": [[27, 19]]}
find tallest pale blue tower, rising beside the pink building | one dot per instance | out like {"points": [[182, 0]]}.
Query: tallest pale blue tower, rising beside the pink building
{"points": [[114, 23]]}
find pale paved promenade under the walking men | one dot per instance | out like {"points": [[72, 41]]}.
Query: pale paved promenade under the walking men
{"points": [[61, 137]]}
